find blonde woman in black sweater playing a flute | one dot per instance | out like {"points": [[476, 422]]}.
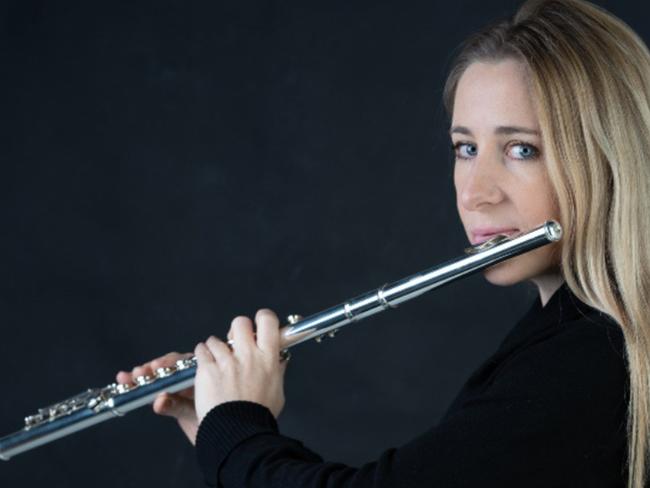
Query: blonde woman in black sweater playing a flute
{"points": [[550, 118]]}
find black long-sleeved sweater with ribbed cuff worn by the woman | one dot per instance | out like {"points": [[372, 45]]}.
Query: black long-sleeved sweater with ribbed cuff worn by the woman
{"points": [[548, 409]]}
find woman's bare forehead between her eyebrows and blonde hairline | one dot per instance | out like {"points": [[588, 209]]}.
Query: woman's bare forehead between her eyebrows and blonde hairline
{"points": [[492, 94]]}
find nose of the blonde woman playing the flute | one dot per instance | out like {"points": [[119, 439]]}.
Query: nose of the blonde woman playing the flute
{"points": [[480, 184]]}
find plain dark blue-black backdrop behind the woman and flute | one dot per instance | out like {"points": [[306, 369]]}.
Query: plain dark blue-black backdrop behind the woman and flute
{"points": [[167, 165]]}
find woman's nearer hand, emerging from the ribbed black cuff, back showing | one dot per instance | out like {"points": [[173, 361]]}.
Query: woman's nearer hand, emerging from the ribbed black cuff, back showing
{"points": [[251, 370]]}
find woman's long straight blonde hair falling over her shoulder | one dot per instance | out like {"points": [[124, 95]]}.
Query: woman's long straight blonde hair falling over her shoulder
{"points": [[590, 79]]}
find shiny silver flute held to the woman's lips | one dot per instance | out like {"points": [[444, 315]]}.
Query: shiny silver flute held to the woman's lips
{"points": [[115, 400]]}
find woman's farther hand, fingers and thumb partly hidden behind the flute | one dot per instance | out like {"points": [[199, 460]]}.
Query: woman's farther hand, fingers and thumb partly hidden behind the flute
{"points": [[179, 405]]}
